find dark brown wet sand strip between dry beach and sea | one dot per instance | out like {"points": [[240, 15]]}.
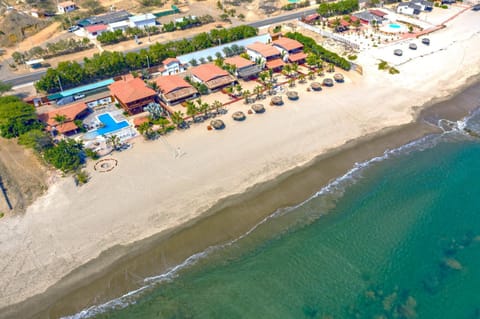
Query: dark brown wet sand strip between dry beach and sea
{"points": [[187, 239]]}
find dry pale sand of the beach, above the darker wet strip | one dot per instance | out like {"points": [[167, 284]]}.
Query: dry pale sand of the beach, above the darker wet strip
{"points": [[152, 189]]}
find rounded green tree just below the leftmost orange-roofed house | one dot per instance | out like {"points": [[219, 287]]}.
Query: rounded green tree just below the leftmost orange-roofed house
{"points": [[65, 156]]}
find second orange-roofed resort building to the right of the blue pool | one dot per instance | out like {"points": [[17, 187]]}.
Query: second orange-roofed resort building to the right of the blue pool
{"points": [[174, 89]]}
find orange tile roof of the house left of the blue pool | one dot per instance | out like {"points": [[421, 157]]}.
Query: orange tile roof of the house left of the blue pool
{"points": [[70, 112]]}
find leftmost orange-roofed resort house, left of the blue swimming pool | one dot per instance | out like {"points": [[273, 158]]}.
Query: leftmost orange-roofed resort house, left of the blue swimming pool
{"points": [[70, 113]]}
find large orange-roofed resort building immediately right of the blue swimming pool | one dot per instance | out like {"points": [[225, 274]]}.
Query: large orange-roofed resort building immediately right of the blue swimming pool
{"points": [[132, 94]]}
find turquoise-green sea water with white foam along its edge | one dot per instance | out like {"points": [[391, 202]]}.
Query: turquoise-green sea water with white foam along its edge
{"points": [[396, 237]]}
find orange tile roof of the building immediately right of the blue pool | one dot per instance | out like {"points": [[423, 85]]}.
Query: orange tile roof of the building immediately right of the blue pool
{"points": [[130, 90]]}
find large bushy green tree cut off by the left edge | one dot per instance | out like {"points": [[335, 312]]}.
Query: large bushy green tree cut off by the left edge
{"points": [[16, 117]]}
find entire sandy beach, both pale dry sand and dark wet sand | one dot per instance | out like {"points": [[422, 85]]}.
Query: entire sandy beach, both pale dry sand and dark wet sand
{"points": [[62, 231]]}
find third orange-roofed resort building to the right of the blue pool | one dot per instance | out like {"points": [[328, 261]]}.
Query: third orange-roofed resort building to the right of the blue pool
{"points": [[212, 76]]}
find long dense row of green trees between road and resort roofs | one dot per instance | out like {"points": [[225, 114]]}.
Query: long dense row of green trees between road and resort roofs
{"points": [[108, 64]]}
